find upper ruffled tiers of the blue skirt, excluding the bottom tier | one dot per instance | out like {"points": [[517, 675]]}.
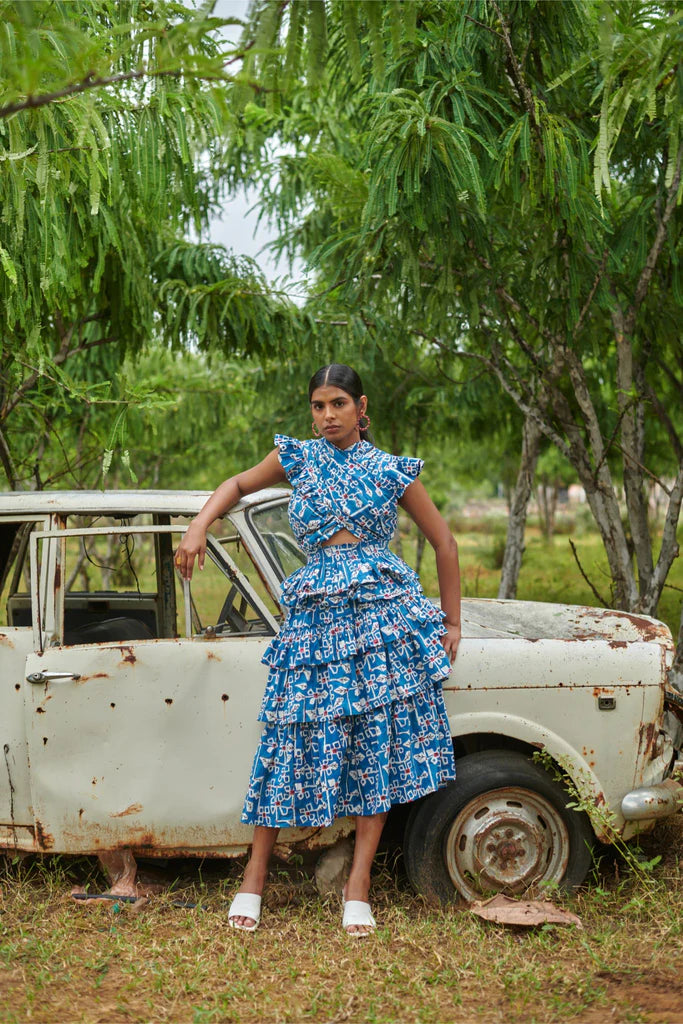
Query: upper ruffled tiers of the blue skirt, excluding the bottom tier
{"points": [[360, 634]]}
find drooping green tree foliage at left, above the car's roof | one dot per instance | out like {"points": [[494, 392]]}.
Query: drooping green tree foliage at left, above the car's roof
{"points": [[112, 118]]}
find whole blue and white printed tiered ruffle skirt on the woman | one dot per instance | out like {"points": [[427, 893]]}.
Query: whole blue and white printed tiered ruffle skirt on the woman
{"points": [[354, 712]]}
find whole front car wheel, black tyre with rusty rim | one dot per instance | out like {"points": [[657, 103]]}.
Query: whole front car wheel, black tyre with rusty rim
{"points": [[502, 827]]}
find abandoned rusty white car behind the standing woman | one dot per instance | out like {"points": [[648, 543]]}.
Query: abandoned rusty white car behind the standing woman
{"points": [[130, 702]]}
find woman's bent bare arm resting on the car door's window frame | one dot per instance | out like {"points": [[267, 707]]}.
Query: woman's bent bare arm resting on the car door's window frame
{"points": [[225, 497]]}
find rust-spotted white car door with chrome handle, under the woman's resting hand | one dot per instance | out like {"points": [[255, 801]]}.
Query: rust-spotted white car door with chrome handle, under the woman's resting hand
{"points": [[146, 741]]}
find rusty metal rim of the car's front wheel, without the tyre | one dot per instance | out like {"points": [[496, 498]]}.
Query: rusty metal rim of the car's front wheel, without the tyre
{"points": [[506, 840]]}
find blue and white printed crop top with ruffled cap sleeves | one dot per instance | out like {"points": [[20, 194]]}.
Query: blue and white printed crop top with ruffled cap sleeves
{"points": [[355, 489]]}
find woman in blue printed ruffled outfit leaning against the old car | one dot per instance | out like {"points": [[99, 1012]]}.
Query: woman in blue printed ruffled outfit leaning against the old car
{"points": [[354, 713]]}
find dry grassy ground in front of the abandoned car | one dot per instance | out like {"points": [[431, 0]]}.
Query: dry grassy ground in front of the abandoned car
{"points": [[65, 962]]}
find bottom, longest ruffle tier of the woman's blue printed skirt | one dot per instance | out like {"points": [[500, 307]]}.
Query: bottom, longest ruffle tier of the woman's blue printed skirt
{"points": [[309, 775]]}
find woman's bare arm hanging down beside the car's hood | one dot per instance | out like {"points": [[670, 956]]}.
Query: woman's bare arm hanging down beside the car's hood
{"points": [[422, 510]]}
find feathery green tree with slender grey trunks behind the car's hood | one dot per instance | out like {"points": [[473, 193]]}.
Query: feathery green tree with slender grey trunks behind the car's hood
{"points": [[487, 217]]}
